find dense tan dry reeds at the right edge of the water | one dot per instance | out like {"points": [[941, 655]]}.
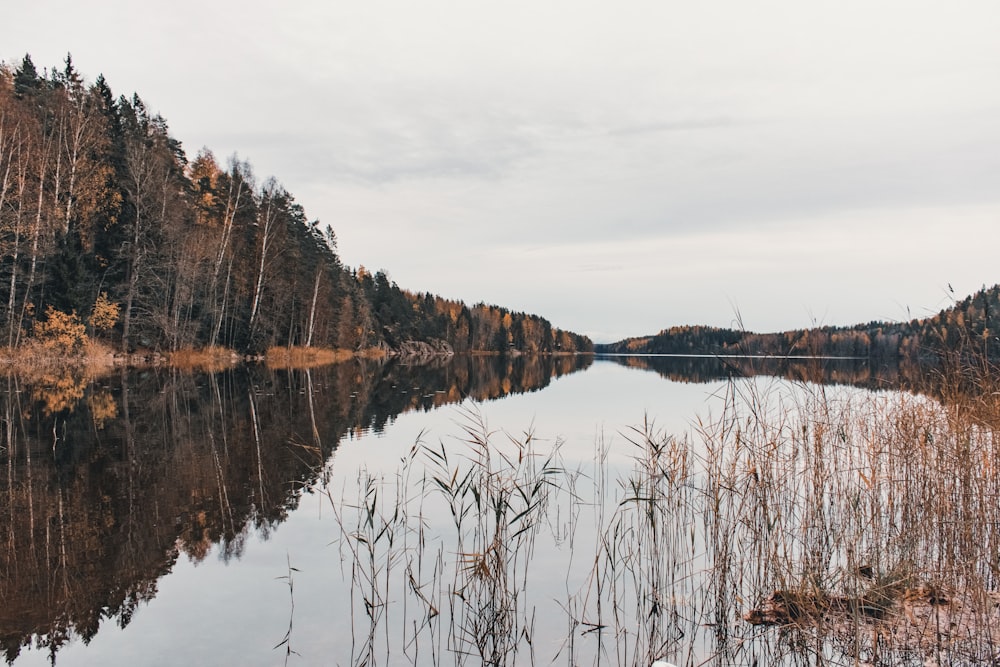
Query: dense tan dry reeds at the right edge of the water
{"points": [[866, 525]]}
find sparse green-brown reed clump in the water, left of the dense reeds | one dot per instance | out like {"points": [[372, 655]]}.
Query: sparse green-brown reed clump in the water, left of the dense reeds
{"points": [[471, 568]]}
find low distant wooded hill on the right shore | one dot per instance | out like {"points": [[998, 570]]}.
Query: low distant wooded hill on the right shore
{"points": [[971, 326]]}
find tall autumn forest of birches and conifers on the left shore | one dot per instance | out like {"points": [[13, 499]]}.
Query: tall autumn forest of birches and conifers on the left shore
{"points": [[110, 232]]}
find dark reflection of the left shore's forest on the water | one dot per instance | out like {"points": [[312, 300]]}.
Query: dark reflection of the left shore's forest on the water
{"points": [[108, 481]]}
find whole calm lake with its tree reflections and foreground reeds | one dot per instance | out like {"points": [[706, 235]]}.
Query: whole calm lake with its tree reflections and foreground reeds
{"points": [[569, 510]]}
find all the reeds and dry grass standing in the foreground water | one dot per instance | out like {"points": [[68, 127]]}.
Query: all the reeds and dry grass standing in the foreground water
{"points": [[816, 526]]}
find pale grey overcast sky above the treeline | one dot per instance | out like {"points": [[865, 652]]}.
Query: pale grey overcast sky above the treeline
{"points": [[618, 168]]}
